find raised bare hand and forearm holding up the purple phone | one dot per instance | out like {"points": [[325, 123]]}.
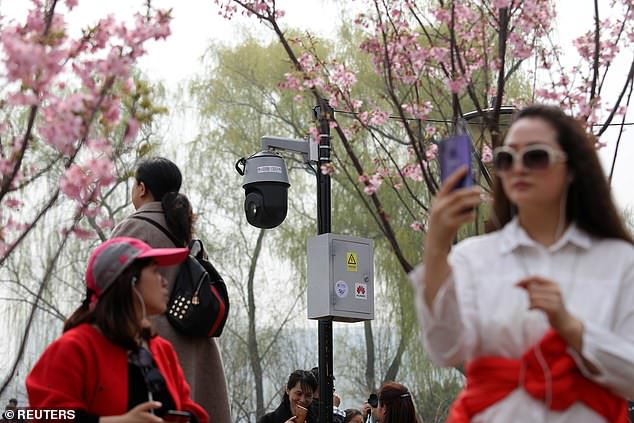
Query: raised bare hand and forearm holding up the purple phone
{"points": [[450, 209]]}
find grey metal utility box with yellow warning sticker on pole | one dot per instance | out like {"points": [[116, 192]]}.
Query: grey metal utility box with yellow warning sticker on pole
{"points": [[340, 278]]}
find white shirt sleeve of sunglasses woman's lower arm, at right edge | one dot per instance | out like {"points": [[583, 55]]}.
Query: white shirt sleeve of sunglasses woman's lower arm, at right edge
{"points": [[611, 350]]}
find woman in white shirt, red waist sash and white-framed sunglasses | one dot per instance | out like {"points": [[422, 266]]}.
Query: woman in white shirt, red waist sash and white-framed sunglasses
{"points": [[541, 310]]}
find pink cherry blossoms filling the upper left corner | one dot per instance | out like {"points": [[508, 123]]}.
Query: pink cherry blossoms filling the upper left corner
{"points": [[65, 86]]}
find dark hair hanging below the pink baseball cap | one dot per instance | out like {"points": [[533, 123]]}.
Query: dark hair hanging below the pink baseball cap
{"points": [[116, 313]]}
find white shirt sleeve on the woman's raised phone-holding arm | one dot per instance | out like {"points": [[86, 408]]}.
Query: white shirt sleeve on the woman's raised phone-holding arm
{"points": [[448, 328]]}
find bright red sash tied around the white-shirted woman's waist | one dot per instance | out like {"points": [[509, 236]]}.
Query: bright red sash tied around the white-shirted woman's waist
{"points": [[491, 379]]}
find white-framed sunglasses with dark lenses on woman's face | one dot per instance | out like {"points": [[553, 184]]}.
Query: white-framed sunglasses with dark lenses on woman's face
{"points": [[533, 157]]}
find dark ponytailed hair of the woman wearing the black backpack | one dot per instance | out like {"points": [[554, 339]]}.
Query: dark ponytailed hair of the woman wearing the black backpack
{"points": [[163, 179]]}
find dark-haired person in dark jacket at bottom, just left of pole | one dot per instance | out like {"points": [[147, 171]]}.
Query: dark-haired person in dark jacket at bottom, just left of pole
{"points": [[299, 391]]}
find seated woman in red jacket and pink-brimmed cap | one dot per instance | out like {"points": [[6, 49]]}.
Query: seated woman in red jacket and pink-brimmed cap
{"points": [[108, 366]]}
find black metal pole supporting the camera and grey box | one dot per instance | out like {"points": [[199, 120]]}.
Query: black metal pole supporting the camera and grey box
{"points": [[324, 114]]}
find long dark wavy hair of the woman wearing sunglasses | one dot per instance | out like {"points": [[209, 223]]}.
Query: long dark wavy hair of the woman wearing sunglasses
{"points": [[589, 203]]}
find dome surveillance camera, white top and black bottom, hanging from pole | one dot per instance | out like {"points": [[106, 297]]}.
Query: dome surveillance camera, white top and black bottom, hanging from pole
{"points": [[266, 188]]}
